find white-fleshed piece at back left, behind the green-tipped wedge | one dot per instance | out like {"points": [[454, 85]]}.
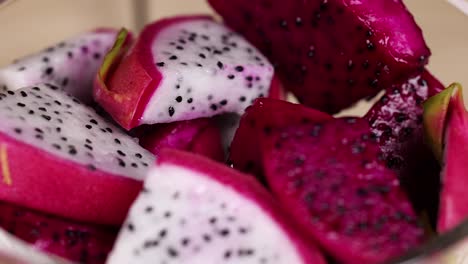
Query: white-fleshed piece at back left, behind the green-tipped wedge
{"points": [[71, 64]]}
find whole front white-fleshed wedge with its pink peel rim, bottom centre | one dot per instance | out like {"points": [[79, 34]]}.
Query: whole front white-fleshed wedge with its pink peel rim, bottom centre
{"points": [[193, 210]]}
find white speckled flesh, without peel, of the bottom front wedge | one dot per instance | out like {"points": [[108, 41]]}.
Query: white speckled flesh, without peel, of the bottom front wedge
{"points": [[198, 220]]}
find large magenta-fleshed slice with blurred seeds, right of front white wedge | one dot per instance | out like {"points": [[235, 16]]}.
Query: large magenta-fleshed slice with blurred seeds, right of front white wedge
{"points": [[331, 179]]}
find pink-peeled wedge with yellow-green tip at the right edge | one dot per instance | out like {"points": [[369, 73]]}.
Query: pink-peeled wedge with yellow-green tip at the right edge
{"points": [[446, 123]]}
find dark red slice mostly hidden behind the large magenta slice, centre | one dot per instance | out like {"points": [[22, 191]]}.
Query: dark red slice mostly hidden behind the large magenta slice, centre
{"points": [[263, 115]]}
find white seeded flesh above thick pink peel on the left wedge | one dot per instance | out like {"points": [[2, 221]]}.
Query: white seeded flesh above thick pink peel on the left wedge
{"points": [[57, 123]]}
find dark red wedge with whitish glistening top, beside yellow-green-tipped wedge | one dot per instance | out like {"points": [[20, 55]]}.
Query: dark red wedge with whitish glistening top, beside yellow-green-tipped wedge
{"points": [[396, 120]]}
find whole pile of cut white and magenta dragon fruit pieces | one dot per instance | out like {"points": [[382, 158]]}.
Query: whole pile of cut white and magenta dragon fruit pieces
{"points": [[181, 138]]}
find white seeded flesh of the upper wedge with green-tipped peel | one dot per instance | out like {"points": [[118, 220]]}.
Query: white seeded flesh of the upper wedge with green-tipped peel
{"points": [[212, 55]]}
